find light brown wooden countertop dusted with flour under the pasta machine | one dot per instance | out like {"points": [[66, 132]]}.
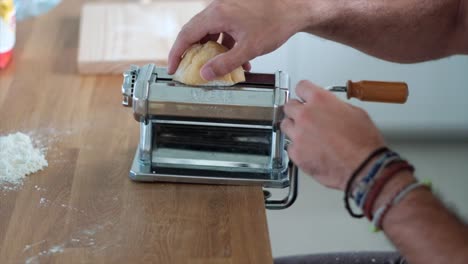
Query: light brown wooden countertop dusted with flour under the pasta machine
{"points": [[83, 208]]}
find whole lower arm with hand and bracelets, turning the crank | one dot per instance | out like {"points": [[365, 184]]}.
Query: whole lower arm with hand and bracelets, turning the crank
{"points": [[419, 225]]}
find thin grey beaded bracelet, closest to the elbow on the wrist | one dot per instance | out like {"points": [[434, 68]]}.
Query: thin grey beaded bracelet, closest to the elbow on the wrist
{"points": [[398, 197]]}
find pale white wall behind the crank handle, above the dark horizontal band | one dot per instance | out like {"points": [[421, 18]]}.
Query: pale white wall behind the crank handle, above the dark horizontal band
{"points": [[438, 100]]}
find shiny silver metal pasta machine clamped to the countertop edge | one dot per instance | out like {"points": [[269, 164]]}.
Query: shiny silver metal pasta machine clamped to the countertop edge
{"points": [[211, 135]]}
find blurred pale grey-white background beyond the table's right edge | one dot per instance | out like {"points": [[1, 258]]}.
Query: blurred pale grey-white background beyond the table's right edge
{"points": [[431, 130]]}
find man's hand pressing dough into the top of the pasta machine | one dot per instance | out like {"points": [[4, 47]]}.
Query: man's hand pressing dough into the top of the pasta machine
{"points": [[250, 29]]}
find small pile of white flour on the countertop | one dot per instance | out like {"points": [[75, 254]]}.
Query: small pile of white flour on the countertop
{"points": [[19, 158]]}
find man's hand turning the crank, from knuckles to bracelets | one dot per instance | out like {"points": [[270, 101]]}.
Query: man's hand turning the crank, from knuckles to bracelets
{"points": [[329, 137]]}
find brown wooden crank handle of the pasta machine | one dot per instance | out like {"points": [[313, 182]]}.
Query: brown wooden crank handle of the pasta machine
{"points": [[374, 91]]}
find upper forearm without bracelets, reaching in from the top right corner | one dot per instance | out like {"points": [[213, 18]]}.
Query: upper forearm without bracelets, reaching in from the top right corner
{"points": [[400, 30]]}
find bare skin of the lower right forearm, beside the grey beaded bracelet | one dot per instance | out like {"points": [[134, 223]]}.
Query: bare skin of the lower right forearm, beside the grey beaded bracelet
{"points": [[422, 229]]}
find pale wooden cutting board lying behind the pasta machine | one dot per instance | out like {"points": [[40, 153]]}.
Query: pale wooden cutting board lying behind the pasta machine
{"points": [[115, 35]]}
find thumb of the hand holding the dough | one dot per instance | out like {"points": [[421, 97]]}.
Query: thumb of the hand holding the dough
{"points": [[224, 63]]}
